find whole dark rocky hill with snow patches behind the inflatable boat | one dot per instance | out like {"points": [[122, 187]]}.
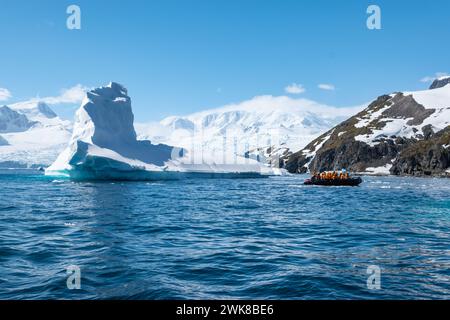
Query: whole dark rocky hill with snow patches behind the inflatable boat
{"points": [[400, 133]]}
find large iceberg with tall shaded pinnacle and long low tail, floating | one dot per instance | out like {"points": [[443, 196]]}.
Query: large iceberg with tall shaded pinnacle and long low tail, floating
{"points": [[104, 146]]}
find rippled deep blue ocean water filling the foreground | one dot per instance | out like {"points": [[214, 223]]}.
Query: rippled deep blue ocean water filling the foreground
{"points": [[223, 239]]}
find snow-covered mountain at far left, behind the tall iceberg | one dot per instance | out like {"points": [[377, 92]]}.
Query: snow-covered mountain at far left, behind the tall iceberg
{"points": [[34, 135]]}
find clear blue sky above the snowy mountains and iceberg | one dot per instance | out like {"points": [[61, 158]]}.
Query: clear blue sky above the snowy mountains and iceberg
{"points": [[177, 57]]}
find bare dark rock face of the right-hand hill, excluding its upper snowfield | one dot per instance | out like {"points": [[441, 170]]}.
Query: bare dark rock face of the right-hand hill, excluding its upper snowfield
{"points": [[422, 154]]}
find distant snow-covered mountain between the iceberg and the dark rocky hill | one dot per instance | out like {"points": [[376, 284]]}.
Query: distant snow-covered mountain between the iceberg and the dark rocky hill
{"points": [[258, 128]]}
